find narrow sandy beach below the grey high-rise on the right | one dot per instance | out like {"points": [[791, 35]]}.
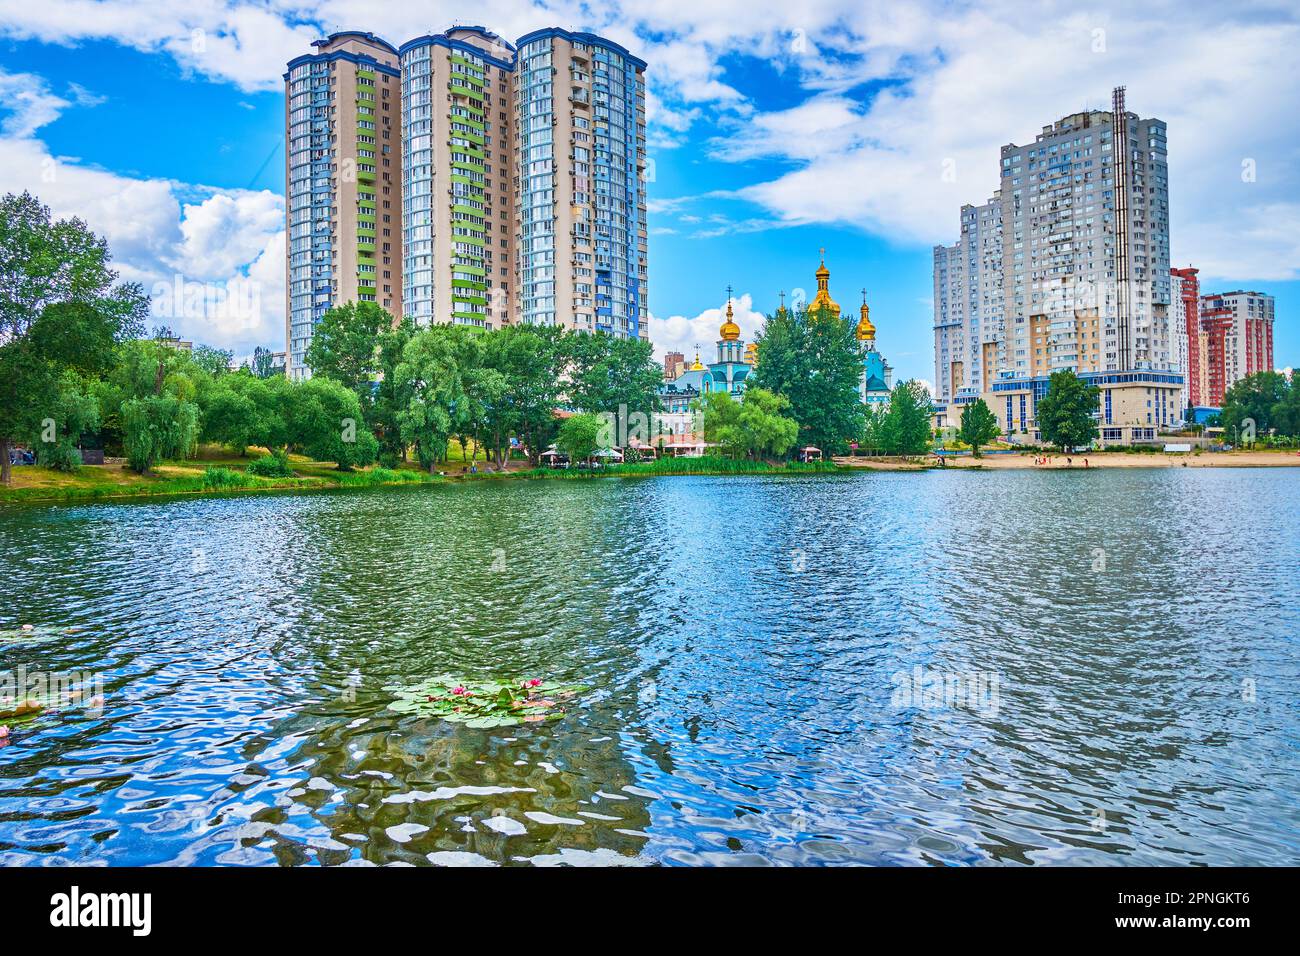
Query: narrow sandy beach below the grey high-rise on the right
{"points": [[1097, 460]]}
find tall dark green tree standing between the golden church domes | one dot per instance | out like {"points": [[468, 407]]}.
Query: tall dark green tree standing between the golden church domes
{"points": [[814, 360]]}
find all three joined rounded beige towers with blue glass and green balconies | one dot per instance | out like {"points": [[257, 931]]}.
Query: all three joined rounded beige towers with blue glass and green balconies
{"points": [[467, 180]]}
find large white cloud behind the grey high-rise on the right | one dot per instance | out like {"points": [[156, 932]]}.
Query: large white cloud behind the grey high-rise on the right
{"points": [[1228, 92]]}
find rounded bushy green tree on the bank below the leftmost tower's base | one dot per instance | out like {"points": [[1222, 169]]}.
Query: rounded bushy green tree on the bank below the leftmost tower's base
{"points": [[324, 419]]}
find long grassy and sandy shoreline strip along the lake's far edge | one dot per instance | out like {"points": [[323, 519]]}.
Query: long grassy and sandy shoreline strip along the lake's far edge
{"points": [[193, 485]]}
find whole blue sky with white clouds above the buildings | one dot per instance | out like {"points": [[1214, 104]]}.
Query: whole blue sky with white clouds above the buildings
{"points": [[775, 129]]}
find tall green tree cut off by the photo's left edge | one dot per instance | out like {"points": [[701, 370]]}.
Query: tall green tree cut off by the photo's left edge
{"points": [[62, 309]]}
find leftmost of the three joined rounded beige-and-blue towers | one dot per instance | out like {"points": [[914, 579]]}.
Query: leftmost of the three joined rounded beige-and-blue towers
{"points": [[343, 188]]}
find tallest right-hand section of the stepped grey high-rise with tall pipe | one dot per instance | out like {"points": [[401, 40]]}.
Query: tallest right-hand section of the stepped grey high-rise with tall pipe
{"points": [[1086, 246]]}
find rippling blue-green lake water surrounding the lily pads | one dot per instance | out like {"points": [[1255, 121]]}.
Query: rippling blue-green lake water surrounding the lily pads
{"points": [[1007, 668]]}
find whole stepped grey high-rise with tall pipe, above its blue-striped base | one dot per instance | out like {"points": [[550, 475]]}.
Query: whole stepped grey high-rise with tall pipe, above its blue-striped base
{"points": [[1076, 244]]}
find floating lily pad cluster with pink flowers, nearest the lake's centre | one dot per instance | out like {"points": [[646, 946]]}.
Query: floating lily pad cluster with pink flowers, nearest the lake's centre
{"points": [[486, 703]]}
